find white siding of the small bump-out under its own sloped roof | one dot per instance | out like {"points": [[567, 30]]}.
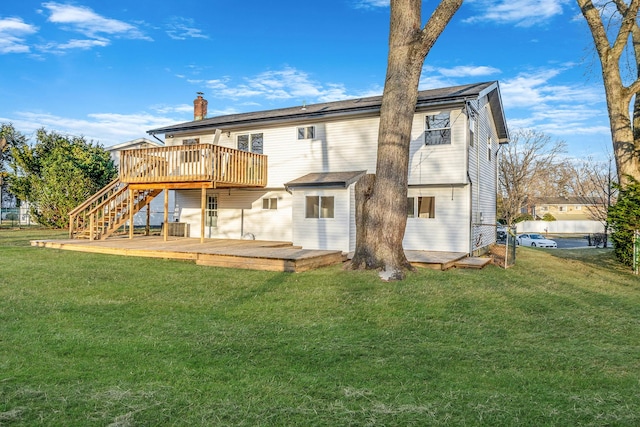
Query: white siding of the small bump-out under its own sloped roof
{"points": [[322, 233]]}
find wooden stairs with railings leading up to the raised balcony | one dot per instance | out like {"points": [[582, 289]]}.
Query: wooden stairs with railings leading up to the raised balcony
{"points": [[106, 211]]}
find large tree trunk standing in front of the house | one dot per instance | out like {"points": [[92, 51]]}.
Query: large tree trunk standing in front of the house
{"points": [[383, 198]]}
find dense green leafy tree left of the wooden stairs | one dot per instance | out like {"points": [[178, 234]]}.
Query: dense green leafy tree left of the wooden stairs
{"points": [[57, 174]]}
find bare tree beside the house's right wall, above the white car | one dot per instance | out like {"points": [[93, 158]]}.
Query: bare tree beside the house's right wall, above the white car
{"points": [[526, 170]]}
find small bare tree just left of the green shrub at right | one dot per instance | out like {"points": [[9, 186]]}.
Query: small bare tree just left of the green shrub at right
{"points": [[594, 185]]}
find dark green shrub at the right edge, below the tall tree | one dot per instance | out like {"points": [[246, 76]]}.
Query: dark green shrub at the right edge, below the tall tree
{"points": [[624, 217]]}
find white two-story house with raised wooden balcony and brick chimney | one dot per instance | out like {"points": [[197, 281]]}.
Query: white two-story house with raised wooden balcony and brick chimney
{"points": [[289, 174]]}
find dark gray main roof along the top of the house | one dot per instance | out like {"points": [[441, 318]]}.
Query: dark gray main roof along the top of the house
{"points": [[351, 107]]}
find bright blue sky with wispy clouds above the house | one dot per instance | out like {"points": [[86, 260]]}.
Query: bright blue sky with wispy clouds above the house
{"points": [[111, 70]]}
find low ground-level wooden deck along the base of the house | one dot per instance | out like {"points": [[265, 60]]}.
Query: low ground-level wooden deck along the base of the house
{"points": [[245, 254]]}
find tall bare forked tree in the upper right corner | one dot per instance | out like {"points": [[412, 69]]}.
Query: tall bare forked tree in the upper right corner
{"points": [[625, 133]]}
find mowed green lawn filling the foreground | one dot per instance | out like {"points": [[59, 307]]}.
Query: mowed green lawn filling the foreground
{"points": [[98, 340]]}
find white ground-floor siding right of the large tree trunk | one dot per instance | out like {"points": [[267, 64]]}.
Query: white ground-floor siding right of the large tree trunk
{"points": [[449, 230]]}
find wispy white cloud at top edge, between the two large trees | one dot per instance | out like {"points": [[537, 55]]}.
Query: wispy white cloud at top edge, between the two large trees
{"points": [[522, 13]]}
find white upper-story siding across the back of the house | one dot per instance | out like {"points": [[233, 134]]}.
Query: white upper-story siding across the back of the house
{"points": [[350, 145]]}
